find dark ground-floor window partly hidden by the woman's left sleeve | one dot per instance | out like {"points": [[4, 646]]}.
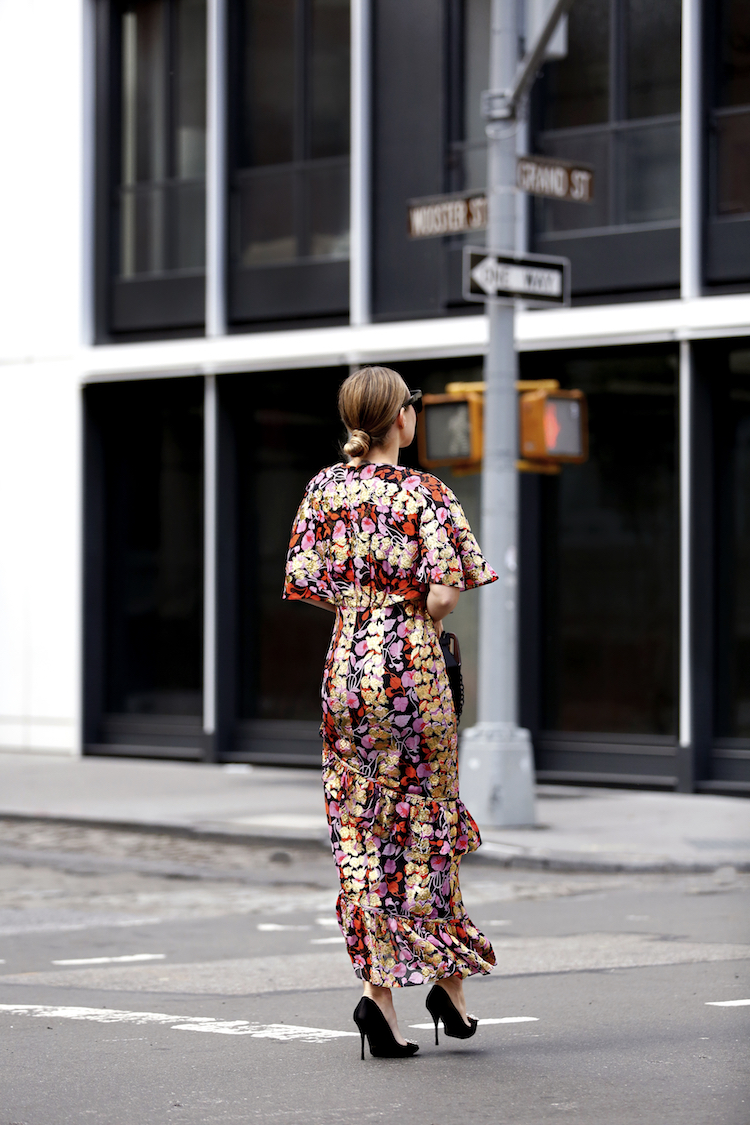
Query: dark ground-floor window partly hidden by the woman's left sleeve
{"points": [[287, 429]]}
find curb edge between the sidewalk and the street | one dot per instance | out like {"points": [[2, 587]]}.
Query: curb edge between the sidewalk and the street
{"points": [[522, 861]]}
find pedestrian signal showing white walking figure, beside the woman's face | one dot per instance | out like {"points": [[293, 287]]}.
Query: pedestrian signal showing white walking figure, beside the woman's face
{"points": [[450, 431]]}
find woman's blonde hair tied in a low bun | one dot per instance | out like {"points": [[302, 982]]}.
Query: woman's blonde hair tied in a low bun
{"points": [[369, 402]]}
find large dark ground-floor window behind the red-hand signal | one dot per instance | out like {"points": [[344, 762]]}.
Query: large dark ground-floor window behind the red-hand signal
{"points": [[610, 551]]}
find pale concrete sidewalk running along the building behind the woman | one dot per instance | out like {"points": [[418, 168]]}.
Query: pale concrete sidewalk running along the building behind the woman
{"points": [[585, 830]]}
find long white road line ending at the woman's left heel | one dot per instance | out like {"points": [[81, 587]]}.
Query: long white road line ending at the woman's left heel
{"points": [[282, 1032]]}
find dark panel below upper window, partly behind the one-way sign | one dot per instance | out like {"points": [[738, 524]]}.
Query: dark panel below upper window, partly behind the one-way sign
{"points": [[616, 262]]}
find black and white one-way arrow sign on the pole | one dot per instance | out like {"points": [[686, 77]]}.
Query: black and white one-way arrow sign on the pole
{"points": [[535, 278]]}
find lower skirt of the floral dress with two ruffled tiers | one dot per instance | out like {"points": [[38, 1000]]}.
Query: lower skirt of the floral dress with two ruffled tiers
{"points": [[399, 856]]}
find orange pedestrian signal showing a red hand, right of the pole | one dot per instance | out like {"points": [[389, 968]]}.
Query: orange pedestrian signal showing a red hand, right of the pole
{"points": [[554, 427]]}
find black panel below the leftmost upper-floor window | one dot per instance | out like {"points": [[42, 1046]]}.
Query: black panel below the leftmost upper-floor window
{"points": [[151, 303]]}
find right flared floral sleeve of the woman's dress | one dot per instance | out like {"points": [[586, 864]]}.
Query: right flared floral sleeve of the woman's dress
{"points": [[449, 554]]}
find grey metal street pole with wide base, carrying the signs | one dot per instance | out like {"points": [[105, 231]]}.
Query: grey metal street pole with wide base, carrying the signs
{"points": [[498, 779]]}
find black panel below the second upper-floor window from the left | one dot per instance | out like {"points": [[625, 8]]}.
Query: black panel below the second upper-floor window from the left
{"points": [[294, 290]]}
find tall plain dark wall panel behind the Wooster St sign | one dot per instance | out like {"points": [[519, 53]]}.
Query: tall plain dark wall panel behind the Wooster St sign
{"points": [[408, 158]]}
